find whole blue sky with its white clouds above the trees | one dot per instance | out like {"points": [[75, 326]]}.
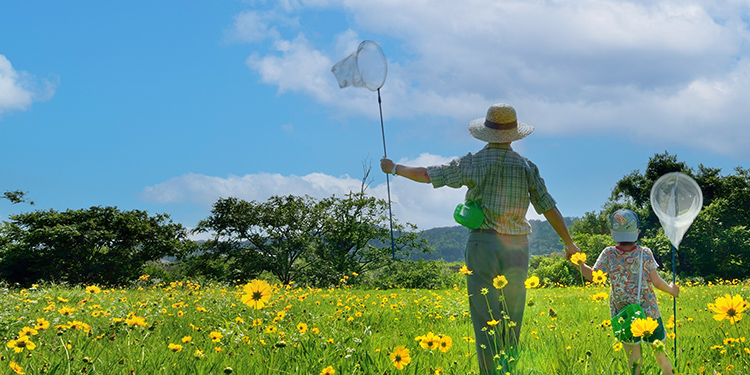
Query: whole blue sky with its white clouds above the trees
{"points": [[166, 106]]}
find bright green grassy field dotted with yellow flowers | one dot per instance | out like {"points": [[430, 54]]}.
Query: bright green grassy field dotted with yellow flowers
{"points": [[187, 328]]}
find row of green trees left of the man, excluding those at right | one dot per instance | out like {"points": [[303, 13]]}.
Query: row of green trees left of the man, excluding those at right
{"points": [[293, 238]]}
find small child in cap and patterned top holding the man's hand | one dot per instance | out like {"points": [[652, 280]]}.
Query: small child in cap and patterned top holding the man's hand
{"points": [[622, 263]]}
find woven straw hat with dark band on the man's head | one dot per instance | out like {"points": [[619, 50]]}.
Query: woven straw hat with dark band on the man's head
{"points": [[500, 125]]}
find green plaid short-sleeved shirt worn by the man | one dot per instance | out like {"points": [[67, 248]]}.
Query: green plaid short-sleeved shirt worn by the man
{"points": [[502, 181]]}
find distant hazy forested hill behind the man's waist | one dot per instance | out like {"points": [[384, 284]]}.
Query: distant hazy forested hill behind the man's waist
{"points": [[450, 242]]}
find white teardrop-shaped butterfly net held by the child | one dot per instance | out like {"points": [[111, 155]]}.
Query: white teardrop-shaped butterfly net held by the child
{"points": [[676, 199]]}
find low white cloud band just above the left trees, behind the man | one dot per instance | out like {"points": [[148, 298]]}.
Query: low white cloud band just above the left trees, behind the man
{"points": [[412, 202]]}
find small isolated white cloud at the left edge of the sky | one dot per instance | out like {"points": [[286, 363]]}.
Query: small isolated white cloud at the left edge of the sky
{"points": [[19, 89]]}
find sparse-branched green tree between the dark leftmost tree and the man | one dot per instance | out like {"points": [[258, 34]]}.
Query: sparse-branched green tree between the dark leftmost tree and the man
{"points": [[302, 239]]}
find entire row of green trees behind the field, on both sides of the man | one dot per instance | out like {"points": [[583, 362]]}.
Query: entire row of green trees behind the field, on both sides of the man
{"points": [[319, 241]]}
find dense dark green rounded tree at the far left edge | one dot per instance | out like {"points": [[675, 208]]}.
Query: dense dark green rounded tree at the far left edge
{"points": [[99, 245]]}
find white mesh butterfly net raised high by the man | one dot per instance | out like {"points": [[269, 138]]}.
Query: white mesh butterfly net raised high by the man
{"points": [[366, 67]]}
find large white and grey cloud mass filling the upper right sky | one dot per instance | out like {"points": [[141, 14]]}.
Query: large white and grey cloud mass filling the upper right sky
{"points": [[649, 71]]}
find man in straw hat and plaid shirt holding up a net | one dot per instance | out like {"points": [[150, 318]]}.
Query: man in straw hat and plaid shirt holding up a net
{"points": [[503, 183]]}
